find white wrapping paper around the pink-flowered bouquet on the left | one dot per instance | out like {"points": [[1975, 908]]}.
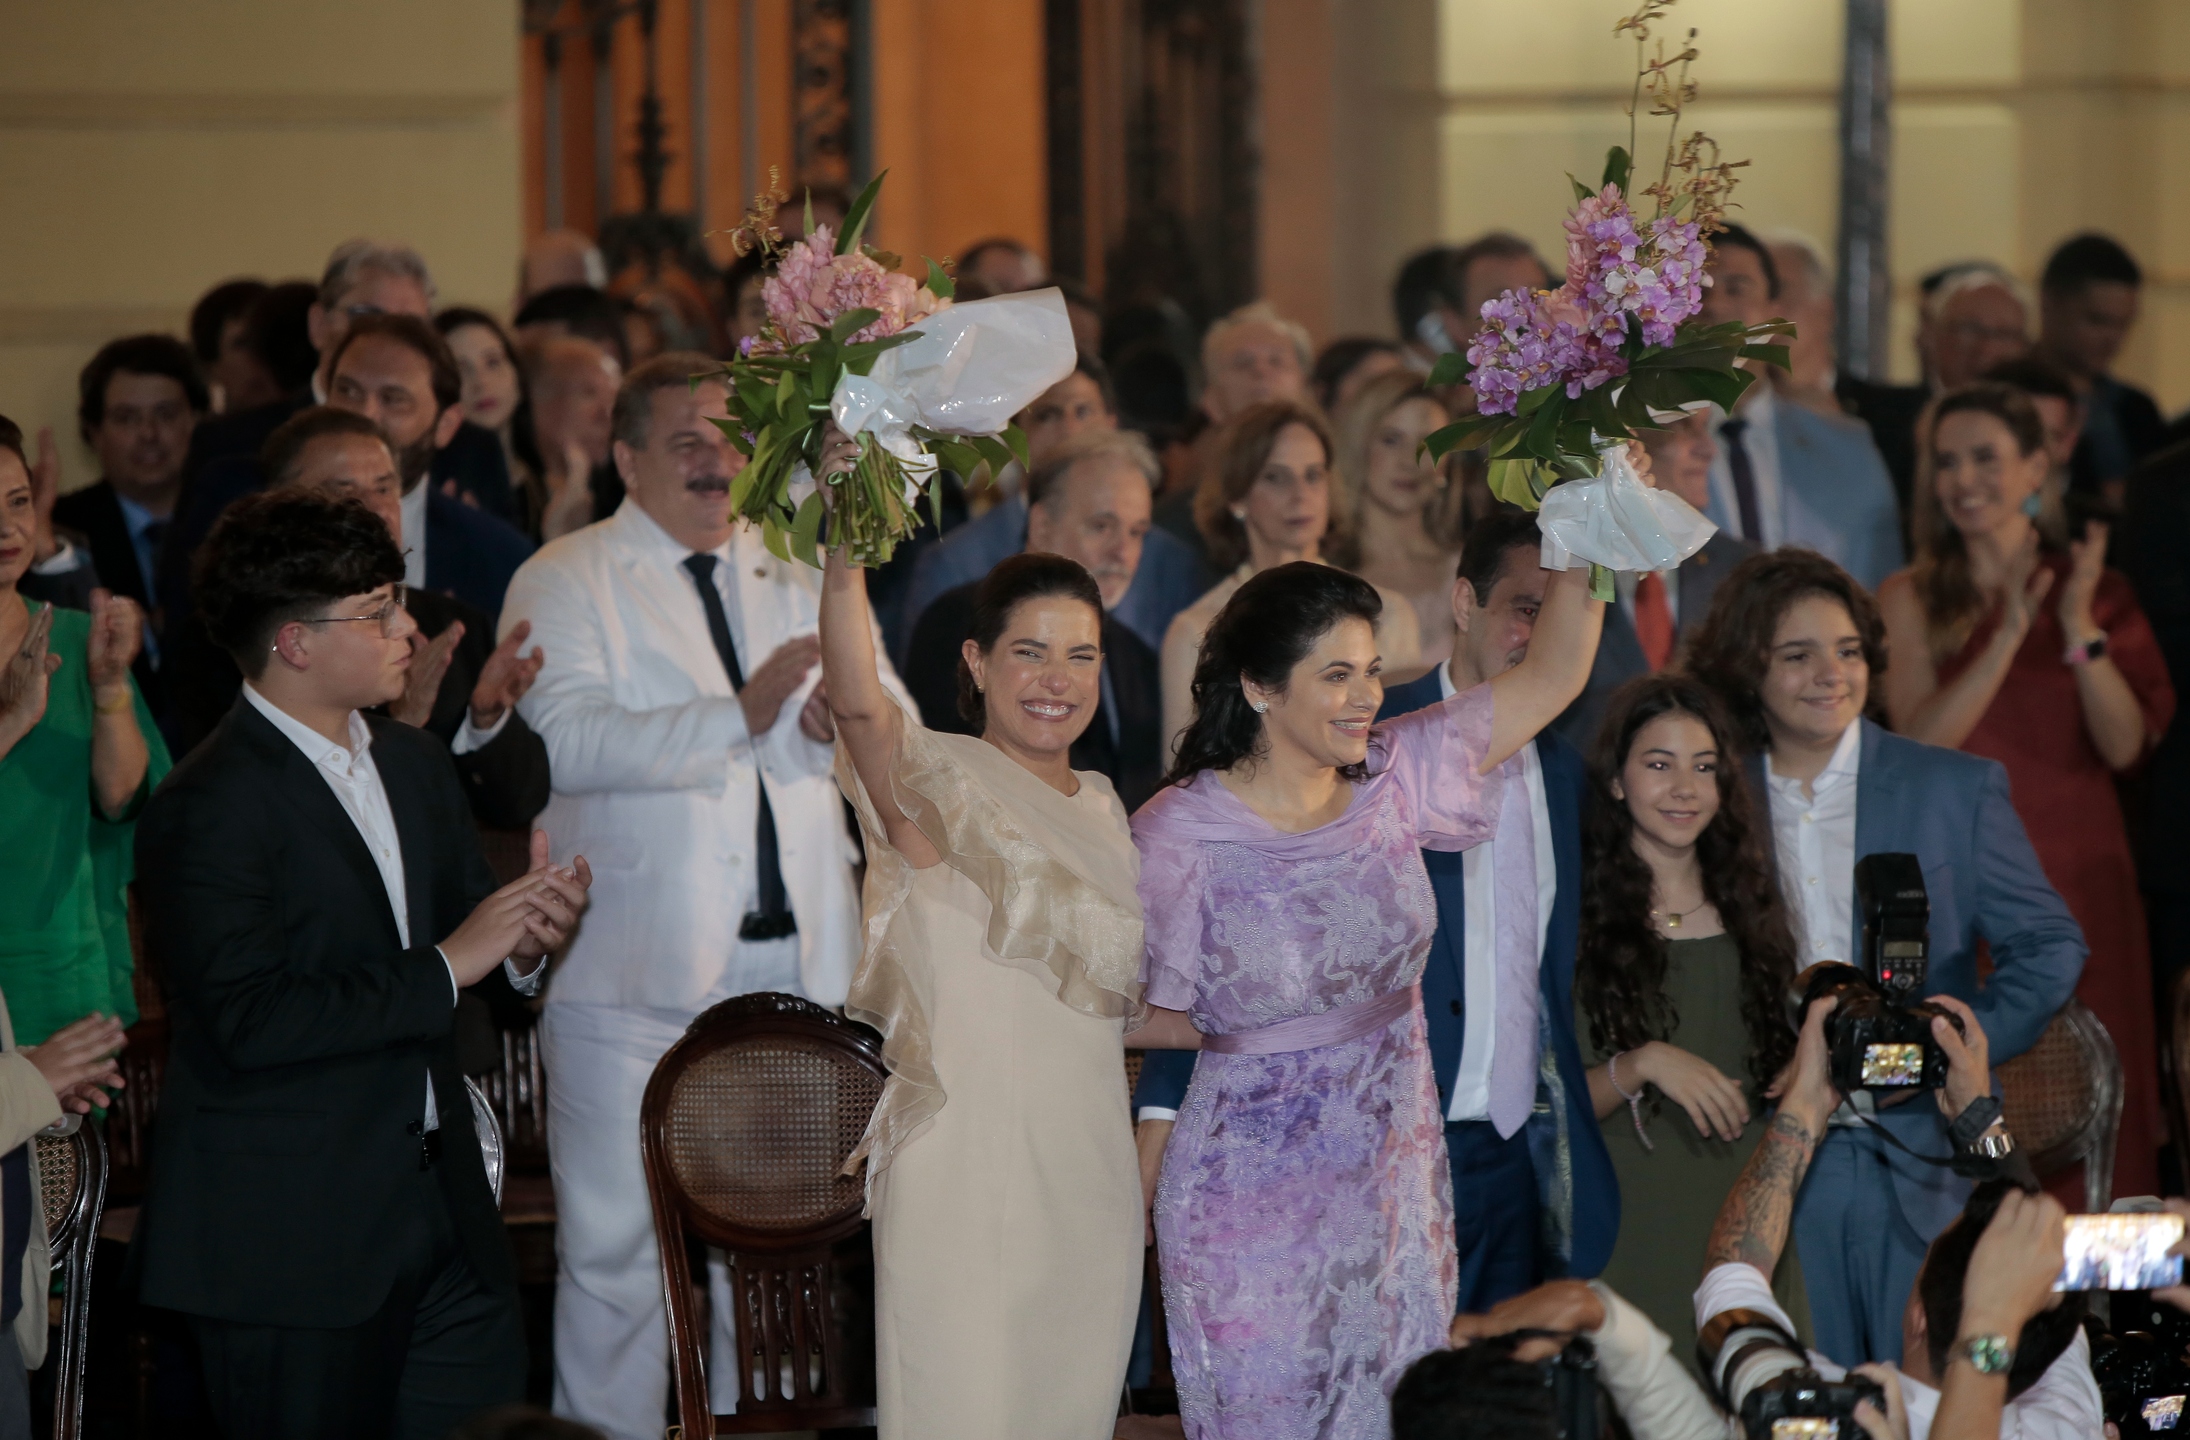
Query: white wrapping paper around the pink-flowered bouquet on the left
{"points": [[971, 371]]}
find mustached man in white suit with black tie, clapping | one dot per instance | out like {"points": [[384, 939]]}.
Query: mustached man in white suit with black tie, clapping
{"points": [[691, 754]]}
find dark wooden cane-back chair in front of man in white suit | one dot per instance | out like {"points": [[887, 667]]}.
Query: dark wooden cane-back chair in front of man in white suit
{"points": [[744, 1130]]}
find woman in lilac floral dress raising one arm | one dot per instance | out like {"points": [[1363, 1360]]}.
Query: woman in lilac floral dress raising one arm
{"points": [[1304, 1218]]}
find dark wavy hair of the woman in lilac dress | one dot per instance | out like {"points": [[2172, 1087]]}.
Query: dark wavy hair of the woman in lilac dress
{"points": [[1263, 634]]}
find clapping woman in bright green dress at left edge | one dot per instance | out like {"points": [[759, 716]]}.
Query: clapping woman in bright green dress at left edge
{"points": [[78, 760]]}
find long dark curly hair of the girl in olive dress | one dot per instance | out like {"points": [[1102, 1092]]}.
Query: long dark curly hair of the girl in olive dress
{"points": [[1622, 962]]}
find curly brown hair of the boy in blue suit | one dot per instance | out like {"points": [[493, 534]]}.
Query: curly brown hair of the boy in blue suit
{"points": [[1733, 649]]}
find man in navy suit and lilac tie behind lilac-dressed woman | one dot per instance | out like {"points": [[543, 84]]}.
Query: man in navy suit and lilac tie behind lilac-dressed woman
{"points": [[1534, 1196]]}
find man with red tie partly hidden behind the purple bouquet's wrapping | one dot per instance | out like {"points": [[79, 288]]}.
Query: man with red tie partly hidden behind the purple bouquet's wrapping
{"points": [[1655, 614]]}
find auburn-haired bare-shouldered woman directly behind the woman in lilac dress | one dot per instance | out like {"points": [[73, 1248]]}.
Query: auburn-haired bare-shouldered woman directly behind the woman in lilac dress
{"points": [[1267, 502]]}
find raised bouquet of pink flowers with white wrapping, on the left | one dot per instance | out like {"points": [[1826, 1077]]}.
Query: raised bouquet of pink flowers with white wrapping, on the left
{"points": [[888, 360]]}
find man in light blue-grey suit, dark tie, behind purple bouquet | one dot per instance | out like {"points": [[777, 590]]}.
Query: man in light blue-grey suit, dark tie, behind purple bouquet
{"points": [[1790, 476]]}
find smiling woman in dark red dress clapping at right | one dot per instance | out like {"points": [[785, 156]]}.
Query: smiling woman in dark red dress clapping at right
{"points": [[2064, 695]]}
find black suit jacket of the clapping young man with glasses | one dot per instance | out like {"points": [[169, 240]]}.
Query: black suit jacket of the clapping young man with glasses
{"points": [[284, 1178]]}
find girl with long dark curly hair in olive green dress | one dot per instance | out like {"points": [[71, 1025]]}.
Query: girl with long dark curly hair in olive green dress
{"points": [[1681, 984]]}
